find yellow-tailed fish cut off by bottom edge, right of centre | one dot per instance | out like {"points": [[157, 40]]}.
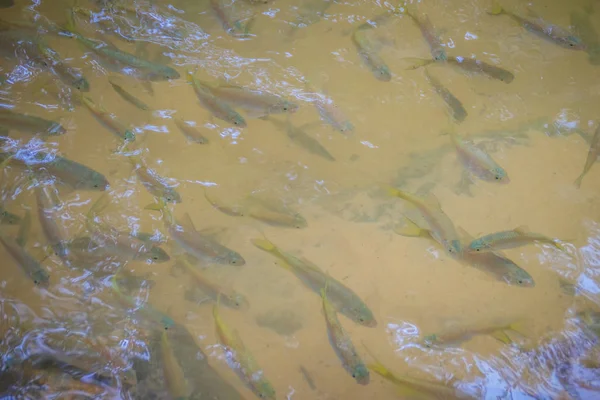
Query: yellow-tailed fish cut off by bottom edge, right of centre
{"points": [[411, 387]]}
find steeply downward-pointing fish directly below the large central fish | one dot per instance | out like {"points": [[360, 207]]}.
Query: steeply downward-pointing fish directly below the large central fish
{"points": [[342, 344]]}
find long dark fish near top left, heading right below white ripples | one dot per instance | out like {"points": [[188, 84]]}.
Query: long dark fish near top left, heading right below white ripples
{"points": [[121, 59]]}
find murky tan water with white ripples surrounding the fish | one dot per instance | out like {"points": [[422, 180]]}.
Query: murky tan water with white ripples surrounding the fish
{"points": [[537, 127]]}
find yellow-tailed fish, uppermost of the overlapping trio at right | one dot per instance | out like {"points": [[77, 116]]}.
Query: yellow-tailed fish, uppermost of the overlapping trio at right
{"points": [[441, 227]]}
